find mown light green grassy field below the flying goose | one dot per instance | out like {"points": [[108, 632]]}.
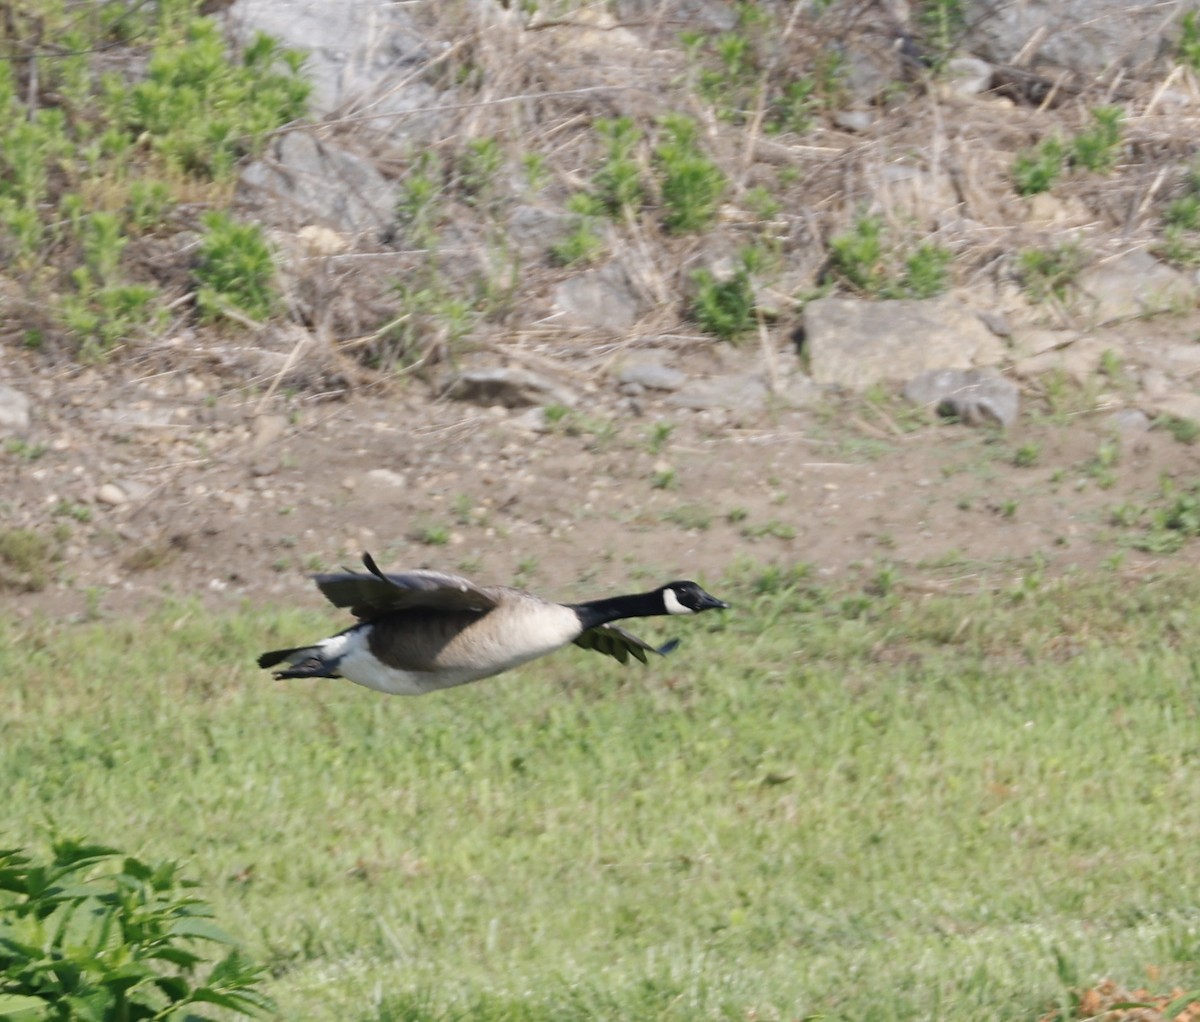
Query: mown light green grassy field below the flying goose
{"points": [[826, 804]]}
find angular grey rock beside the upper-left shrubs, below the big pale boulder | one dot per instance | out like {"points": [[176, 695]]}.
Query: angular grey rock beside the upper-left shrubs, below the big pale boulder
{"points": [[321, 183]]}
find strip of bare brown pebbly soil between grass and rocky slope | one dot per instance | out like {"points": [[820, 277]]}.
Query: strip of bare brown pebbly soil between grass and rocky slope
{"points": [[183, 484]]}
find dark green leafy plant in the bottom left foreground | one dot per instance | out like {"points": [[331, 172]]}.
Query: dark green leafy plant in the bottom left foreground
{"points": [[93, 935]]}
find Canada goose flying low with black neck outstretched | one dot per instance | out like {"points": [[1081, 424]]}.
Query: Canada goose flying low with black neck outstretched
{"points": [[427, 630]]}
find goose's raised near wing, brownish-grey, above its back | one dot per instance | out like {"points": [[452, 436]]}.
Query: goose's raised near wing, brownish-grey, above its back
{"points": [[373, 596]]}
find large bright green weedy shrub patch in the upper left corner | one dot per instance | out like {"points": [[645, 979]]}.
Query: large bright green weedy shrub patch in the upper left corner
{"points": [[104, 158]]}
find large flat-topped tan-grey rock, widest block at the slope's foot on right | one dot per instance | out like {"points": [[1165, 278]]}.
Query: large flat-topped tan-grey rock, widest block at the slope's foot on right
{"points": [[855, 344]]}
